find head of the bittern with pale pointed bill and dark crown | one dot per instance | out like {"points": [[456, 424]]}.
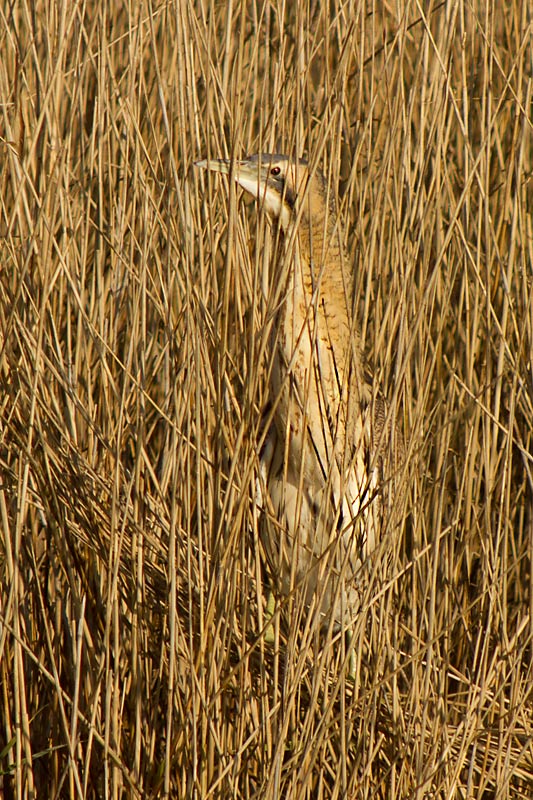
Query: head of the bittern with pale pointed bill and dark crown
{"points": [[277, 181]]}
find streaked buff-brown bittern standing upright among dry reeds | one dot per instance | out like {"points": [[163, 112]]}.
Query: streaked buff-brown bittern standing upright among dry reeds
{"points": [[322, 467]]}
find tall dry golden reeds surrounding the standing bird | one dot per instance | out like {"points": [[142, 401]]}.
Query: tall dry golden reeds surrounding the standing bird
{"points": [[132, 305]]}
